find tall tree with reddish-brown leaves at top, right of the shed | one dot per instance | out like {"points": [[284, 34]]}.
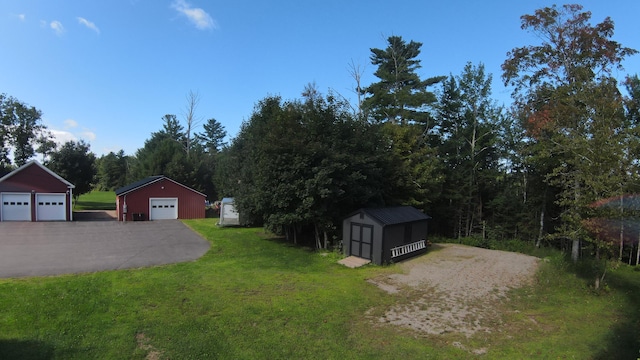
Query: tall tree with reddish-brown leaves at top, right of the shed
{"points": [[574, 108]]}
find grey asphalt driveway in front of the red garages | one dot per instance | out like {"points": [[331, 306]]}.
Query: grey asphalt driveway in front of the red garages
{"points": [[54, 248]]}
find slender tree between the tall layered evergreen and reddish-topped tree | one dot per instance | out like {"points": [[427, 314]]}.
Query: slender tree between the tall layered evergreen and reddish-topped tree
{"points": [[469, 122]]}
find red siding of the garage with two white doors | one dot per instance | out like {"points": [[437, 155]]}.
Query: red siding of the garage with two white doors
{"points": [[33, 179]]}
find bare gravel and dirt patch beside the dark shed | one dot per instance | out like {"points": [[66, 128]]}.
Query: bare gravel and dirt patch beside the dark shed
{"points": [[454, 289]]}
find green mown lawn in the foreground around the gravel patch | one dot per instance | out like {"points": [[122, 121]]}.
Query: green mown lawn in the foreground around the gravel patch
{"points": [[255, 297]]}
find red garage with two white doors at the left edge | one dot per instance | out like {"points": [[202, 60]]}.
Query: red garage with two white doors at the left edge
{"points": [[34, 193]]}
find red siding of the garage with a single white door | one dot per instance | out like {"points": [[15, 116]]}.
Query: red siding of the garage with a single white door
{"points": [[190, 203]]}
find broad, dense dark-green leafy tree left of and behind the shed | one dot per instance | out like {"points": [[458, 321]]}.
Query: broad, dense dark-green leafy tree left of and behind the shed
{"points": [[298, 166]]}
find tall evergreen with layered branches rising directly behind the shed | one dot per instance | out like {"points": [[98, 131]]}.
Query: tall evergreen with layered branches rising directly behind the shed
{"points": [[400, 100]]}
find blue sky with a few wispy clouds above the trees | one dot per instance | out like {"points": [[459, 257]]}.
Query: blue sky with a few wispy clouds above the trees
{"points": [[107, 71]]}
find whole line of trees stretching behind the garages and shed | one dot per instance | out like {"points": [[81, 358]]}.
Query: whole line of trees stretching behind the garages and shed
{"points": [[538, 170]]}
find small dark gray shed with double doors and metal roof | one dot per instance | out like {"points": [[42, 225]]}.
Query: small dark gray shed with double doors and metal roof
{"points": [[383, 235]]}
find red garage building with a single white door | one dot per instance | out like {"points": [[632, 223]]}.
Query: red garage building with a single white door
{"points": [[158, 198]]}
